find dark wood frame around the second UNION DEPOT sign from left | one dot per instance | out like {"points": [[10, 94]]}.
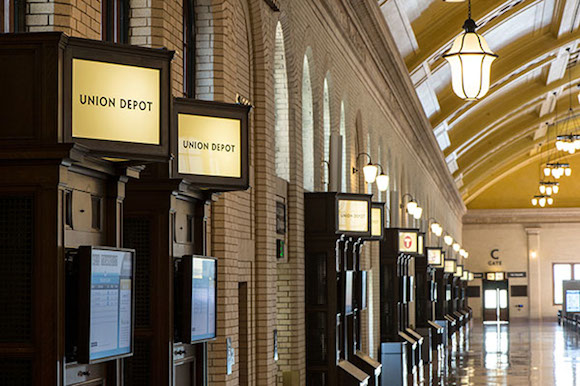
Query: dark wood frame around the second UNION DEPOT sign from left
{"points": [[216, 110]]}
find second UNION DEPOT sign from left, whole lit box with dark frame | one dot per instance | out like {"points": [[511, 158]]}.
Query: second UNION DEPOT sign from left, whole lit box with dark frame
{"points": [[210, 143]]}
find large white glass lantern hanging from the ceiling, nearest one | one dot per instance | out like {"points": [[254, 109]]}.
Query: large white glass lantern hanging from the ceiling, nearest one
{"points": [[470, 59]]}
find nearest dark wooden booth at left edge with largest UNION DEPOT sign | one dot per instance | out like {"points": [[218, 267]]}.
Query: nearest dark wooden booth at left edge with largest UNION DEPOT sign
{"points": [[70, 144]]}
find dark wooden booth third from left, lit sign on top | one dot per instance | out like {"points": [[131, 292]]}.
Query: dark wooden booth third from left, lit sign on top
{"points": [[336, 228]]}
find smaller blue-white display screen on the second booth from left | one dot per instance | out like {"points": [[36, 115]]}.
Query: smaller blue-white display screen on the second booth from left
{"points": [[203, 299]]}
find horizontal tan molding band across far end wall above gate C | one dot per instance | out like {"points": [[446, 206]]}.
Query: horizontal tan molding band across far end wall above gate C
{"points": [[522, 216]]}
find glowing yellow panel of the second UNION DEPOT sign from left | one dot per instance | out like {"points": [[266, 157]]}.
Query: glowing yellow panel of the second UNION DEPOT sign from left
{"points": [[209, 146]]}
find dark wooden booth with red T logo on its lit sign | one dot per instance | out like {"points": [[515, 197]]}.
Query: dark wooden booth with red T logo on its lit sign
{"points": [[401, 346]]}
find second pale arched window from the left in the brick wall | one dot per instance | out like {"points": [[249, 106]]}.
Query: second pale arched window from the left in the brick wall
{"points": [[307, 127]]}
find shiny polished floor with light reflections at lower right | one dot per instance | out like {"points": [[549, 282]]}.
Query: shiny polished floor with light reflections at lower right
{"points": [[516, 354]]}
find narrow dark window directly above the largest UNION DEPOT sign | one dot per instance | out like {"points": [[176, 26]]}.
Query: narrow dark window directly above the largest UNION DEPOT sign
{"points": [[115, 21]]}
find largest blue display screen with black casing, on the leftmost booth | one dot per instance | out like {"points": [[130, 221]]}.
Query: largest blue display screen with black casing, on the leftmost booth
{"points": [[106, 303]]}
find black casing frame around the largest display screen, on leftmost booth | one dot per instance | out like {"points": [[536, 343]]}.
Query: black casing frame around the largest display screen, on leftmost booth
{"points": [[84, 304]]}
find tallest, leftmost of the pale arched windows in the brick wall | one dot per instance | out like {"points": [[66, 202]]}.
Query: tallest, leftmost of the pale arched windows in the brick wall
{"points": [[281, 107]]}
